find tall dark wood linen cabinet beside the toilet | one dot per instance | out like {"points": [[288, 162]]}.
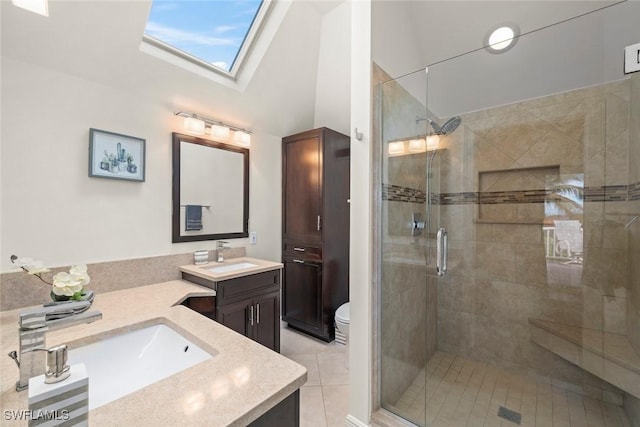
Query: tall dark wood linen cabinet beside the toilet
{"points": [[315, 227]]}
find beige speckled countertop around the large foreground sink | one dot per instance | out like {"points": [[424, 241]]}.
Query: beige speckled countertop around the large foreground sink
{"points": [[240, 383]]}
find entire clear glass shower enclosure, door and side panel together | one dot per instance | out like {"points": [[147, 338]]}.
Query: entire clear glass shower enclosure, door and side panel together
{"points": [[534, 177]]}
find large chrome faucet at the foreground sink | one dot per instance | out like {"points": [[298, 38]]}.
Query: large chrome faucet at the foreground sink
{"points": [[34, 323]]}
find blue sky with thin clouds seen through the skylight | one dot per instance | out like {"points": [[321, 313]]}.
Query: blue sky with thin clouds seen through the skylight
{"points": [[211, 30]]}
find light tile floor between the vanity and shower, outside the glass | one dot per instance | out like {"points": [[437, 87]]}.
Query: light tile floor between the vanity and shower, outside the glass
{"points": [[324, 399]]}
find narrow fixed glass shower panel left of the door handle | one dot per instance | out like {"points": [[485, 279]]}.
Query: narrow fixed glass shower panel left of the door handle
{"points": [[407, 333]]}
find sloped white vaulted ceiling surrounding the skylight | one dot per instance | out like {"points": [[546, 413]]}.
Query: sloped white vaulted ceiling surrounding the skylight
{"points": [[101, 41]]}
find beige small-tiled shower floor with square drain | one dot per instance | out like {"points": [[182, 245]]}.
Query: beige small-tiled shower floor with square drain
{"points": [[455, 392]]}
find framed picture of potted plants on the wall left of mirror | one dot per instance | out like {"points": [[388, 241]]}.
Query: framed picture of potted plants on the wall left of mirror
{"points": [[116, 156]]}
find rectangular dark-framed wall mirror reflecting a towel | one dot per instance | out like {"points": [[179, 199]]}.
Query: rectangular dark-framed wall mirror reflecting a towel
{"points": [[210, 190]]}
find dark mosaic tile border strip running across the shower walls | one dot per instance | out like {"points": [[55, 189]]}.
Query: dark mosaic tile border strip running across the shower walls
{"points": [[608, 193]]}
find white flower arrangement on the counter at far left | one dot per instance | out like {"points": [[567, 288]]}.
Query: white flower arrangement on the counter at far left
{"points": [[65, 286]]}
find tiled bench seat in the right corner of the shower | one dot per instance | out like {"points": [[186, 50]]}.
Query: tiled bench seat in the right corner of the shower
{"points": [[605, 355]]}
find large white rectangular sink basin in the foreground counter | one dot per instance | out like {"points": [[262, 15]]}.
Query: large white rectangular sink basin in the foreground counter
{"points": [[128, 362]]}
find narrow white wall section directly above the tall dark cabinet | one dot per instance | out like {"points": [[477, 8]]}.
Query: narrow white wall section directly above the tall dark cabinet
{"points": [[333, 80]]}
